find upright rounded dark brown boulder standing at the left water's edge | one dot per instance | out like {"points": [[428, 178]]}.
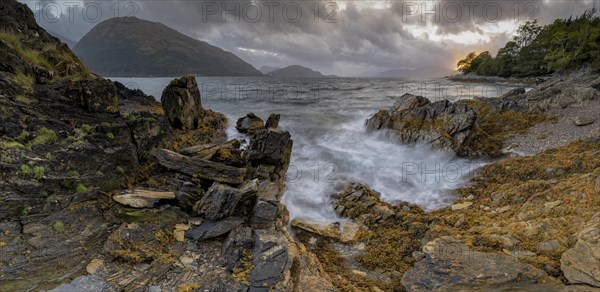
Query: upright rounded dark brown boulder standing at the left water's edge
{"points": [[182, 103]]}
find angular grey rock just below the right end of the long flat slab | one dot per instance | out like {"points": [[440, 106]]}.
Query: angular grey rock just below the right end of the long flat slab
{"points": [[220, 200]]}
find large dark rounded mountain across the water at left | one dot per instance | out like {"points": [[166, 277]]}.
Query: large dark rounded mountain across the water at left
{"points": [[129, 46]]}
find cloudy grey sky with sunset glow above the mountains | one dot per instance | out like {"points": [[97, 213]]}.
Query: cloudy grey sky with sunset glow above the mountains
{"points": [[345, 38]]}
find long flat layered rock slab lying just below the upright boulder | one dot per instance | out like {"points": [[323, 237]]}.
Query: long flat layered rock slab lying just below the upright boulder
{"points": [[199, 167]]}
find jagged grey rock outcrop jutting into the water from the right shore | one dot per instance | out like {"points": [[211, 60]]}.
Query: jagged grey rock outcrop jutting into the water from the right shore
{"points": [[442, 124]]}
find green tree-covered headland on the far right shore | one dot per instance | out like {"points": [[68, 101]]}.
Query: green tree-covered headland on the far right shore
{"points": [[563, 45]]}
